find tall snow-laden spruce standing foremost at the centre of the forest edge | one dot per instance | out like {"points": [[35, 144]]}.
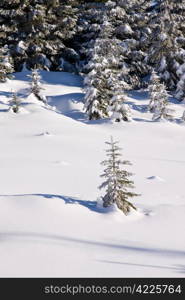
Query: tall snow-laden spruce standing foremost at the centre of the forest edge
{"points": [[106, 74]]}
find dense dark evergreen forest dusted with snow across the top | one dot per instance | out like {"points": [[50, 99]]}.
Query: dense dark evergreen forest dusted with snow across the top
{"points": [[115, 44]]}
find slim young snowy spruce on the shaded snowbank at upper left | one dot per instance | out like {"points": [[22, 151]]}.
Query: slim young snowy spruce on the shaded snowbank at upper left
{"points": [[36, 86]]}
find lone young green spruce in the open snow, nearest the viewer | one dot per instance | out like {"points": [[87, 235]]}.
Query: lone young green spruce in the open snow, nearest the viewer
{"points": [[117, 180]]}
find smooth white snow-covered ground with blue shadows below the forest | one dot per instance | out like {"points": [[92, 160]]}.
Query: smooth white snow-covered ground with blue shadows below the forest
{"points": [[50, 223]]}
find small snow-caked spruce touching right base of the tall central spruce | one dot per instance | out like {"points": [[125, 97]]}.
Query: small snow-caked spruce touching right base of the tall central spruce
{"points": [[119, 109]]}
